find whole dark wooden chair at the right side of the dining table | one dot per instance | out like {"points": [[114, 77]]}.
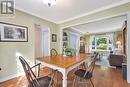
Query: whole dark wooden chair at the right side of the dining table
{"points": [[85, 74]]}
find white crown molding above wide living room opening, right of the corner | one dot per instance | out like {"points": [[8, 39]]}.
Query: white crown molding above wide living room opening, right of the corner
{"points": [[95, 11]]}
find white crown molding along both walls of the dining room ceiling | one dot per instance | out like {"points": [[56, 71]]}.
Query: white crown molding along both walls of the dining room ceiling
{"points": [[69, 19]]}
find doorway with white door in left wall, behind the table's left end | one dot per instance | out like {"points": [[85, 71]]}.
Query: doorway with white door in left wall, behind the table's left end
{"points": [[42, 41]]}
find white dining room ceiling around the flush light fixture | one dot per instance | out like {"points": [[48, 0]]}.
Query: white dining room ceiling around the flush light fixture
{"points": [[65, 10]]}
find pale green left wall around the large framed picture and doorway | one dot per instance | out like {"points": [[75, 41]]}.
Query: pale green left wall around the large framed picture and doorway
{"points": [[9, 61]]}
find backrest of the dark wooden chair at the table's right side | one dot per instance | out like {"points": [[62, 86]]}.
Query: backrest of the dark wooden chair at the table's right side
{"points": [[91, 66]]}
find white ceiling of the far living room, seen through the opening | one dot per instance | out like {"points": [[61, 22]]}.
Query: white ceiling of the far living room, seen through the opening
{"points": [[102, 26]]}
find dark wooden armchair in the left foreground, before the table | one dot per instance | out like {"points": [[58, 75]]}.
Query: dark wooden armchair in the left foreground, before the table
{"points": [[33, 79]]}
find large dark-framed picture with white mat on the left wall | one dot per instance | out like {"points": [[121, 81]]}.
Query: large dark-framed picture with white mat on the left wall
{"points": [[13, 33]]}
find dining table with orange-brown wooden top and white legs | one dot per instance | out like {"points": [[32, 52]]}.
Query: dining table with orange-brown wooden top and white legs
{"points": [[63, 64]]}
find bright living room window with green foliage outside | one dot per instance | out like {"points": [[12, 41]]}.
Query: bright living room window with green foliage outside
{"points": [[101, 42]]}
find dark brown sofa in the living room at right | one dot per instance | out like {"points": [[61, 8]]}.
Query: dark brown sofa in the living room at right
{"points": [[116, 60]]}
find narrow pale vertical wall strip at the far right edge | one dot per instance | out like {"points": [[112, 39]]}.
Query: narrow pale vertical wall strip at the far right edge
{"points": [[128, 46]]}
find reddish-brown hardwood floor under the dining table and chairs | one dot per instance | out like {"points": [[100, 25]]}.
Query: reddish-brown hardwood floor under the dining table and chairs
{"points": [[103, 77]]}
